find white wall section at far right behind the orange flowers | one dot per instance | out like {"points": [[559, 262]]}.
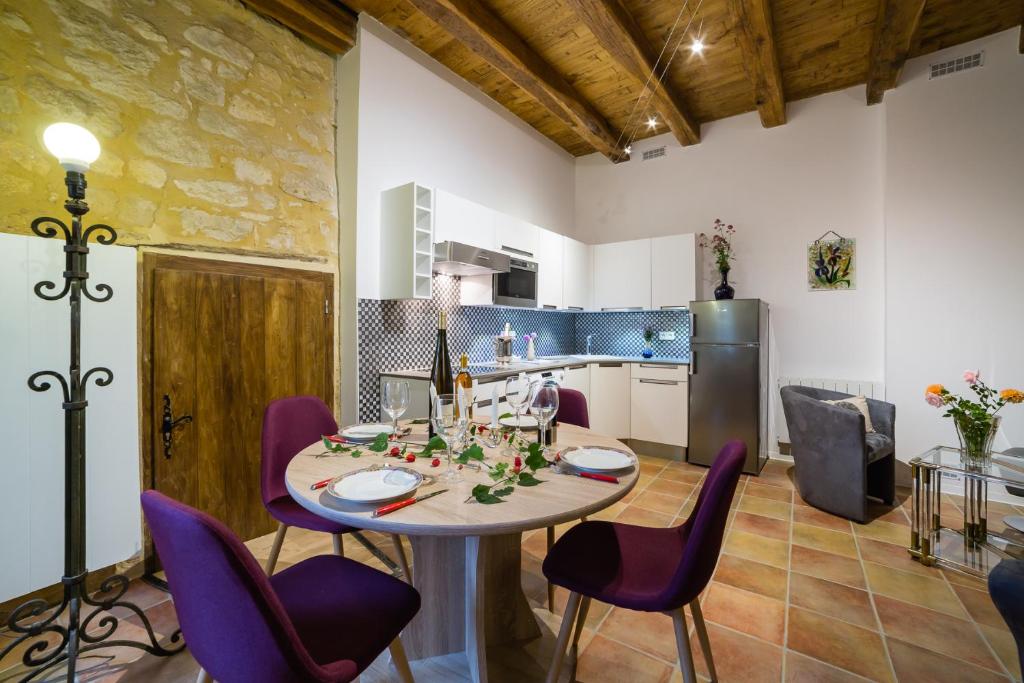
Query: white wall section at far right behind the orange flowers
{"points": [[955, 236]]}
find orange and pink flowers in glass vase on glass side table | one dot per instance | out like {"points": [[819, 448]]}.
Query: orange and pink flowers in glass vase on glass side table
{"points": [[976, 420]]}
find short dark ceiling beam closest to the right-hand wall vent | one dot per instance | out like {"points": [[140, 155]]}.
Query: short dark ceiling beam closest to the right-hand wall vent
{"points": [[895, 27]]}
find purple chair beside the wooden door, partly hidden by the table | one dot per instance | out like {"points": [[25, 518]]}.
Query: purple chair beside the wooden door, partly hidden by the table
{"points": [[289, 426]]}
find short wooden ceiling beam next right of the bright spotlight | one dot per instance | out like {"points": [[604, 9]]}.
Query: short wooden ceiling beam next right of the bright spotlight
{"points": [[757, 41]]}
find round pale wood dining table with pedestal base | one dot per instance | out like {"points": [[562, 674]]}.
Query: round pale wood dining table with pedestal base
{"points": [[466, 556]]}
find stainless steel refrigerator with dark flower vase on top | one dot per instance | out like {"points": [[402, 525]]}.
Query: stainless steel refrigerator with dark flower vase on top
{"points": [[729, 380]]}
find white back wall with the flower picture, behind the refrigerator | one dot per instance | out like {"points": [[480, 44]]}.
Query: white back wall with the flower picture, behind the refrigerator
{"points": [[783, 188]]}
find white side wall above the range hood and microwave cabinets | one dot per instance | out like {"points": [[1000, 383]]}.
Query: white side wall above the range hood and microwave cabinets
{"points": [[417, 121]]}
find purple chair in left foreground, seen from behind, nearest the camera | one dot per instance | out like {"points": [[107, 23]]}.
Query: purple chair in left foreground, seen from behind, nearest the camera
{"points": [[324, 620]]}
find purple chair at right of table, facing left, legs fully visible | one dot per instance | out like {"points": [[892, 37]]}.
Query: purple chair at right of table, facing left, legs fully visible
{"points": [[649, 570]]}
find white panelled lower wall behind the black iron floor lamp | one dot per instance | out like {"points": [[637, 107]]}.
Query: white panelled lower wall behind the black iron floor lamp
{"points": [[34, 337]]}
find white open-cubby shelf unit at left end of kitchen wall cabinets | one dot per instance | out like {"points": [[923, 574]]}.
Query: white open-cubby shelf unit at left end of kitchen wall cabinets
{"points": [[407, 242]]}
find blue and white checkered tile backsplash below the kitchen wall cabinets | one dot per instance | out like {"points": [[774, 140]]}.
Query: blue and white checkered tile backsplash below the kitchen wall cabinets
{"points": [[400, 334]]}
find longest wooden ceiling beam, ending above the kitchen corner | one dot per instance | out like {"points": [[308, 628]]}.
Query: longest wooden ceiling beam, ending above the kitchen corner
{"points": [[473, 24]]}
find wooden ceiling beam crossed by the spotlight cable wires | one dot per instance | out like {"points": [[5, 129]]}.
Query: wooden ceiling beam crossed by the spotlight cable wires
{"points": [[623, 38]]}
